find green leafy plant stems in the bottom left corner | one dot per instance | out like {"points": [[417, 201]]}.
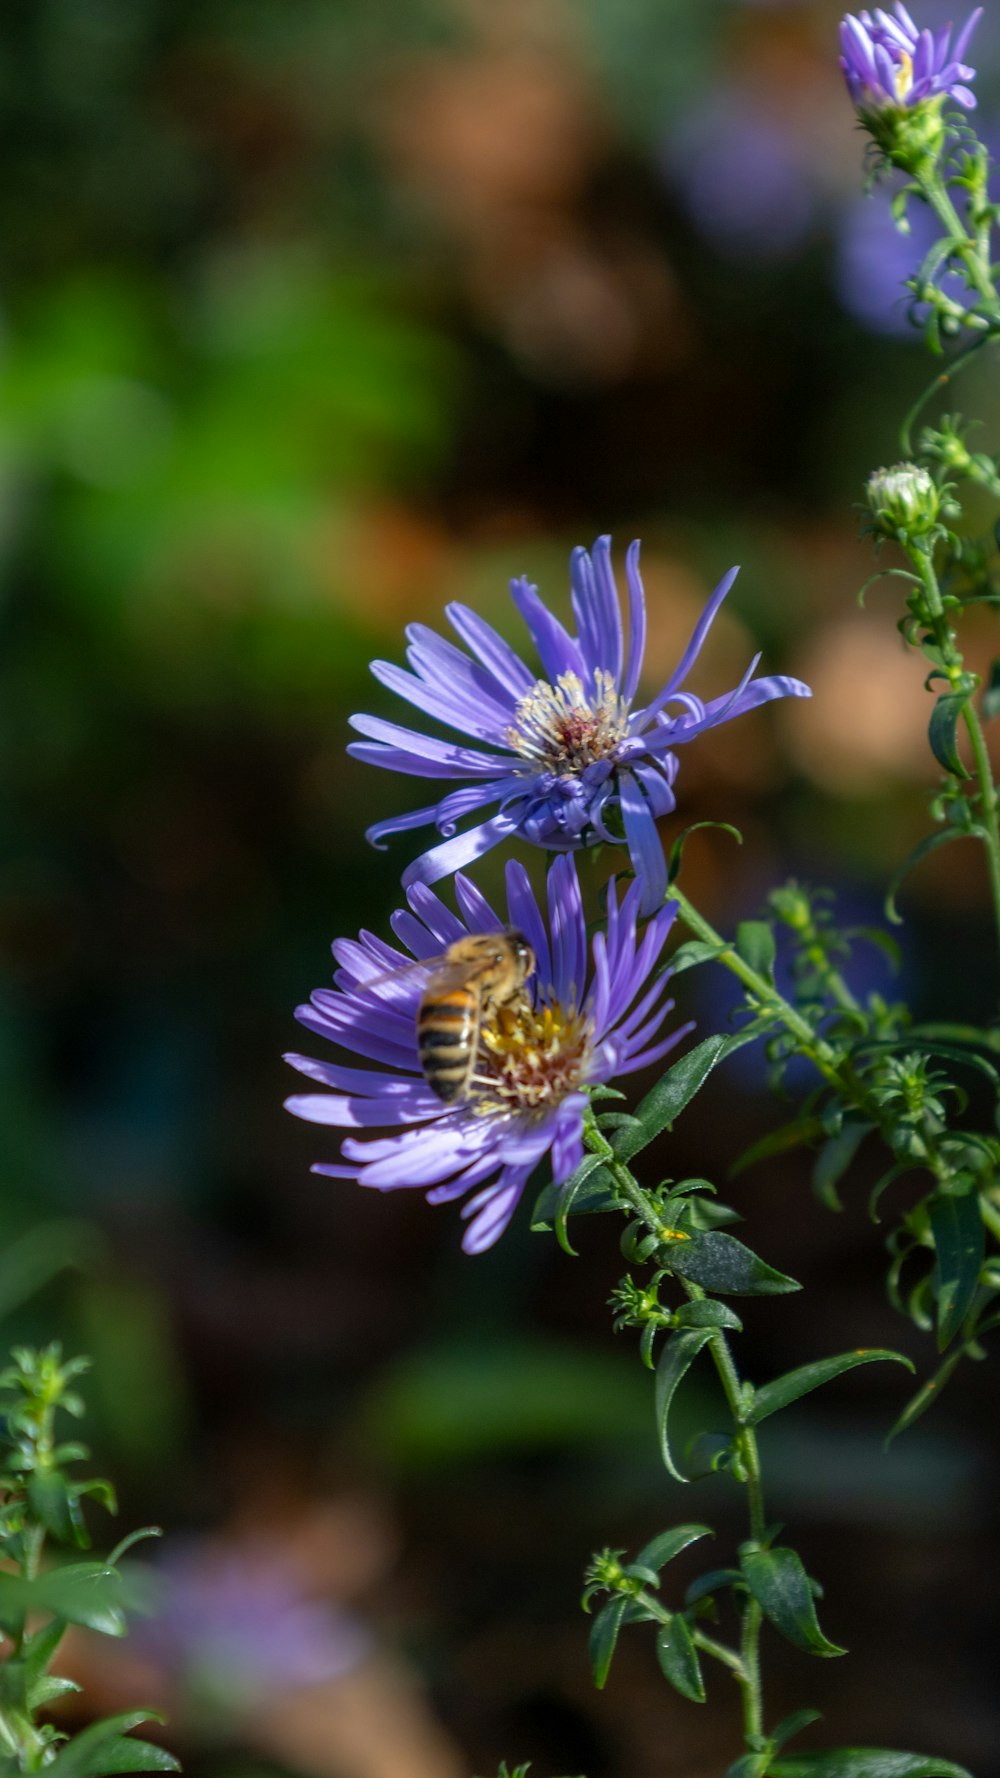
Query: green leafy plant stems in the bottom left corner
{"points": [[42, 1503]]}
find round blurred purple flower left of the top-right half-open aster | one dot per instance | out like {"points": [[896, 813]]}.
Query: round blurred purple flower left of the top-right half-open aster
{"points": [[745, 177]]}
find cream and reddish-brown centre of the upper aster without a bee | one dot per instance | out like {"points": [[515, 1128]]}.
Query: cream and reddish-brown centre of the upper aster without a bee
{"points": [[565, 732]]}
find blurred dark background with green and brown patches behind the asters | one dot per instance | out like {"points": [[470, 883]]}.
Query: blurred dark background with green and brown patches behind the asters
{"points": [[312, 317]]}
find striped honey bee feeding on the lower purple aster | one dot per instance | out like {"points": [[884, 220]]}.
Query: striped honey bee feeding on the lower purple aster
{"points": [[472, 979]]}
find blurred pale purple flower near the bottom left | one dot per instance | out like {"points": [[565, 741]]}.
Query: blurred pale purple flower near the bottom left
{"points": [[238, 1628]]}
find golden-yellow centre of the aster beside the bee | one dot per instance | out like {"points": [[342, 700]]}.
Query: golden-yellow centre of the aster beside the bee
{"points": [[531, 1057]]}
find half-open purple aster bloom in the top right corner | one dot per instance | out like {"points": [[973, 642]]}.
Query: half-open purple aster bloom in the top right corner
{"points": [[892, 65]]}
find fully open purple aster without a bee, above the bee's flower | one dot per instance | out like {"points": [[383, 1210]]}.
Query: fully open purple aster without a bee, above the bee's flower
{"points": [[570, 758]]}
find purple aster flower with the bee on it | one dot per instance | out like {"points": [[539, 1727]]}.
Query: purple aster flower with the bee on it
{"points": [[576, 1027]]}
